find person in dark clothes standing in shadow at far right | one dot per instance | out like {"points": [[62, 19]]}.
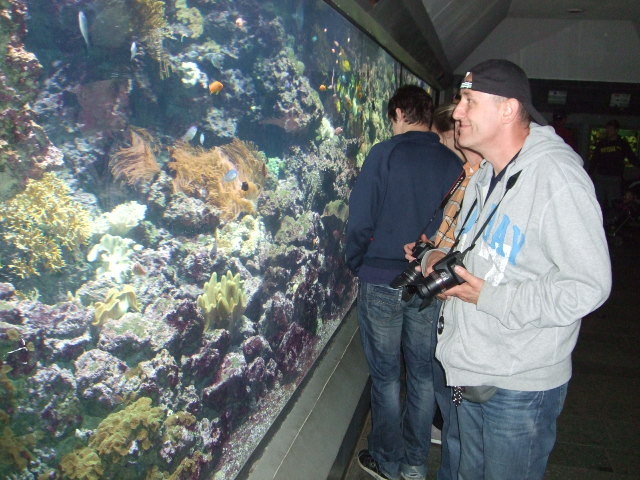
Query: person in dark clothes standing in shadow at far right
{"points": [[607, 168]]}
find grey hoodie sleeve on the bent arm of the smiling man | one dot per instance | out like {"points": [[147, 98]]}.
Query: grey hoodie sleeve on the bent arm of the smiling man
{"points": [[579, 278]]}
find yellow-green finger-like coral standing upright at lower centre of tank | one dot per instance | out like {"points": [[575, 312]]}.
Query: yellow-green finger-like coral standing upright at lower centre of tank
{"points": [[223, 302]]}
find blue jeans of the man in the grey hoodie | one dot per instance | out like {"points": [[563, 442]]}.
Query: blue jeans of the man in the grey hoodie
{"points": [[509, 436]]}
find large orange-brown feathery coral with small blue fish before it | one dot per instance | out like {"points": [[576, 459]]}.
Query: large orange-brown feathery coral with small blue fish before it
{"points": [[205, 173]]}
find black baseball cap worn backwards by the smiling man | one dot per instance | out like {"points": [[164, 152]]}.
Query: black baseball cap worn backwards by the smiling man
{"points": [[505, 79]]}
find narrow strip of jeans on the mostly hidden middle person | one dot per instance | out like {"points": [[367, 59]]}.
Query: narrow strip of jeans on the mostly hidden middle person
{"points": [[450, 457]]}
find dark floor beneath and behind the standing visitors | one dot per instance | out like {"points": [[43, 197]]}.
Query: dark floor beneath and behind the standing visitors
{"points": [[599, 429]]}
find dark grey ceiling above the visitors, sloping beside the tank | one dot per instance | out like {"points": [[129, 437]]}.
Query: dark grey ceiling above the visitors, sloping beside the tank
{"points": [[435, 38]]}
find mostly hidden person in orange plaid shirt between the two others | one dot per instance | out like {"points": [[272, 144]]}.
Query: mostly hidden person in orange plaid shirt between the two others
{"points": [[444, 125]]}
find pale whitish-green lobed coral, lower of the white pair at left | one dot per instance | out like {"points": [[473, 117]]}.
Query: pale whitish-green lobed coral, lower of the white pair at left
{"points": [[114, 253]]}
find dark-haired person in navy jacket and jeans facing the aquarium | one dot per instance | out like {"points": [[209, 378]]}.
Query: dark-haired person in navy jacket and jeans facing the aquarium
{"points": [[397, 197]]}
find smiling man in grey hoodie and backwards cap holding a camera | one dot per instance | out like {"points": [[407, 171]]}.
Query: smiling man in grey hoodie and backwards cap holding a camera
{"points": [[535, 262]]}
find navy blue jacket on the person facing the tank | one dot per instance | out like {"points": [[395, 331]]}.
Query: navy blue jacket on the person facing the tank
{"points": [[399, 190]]}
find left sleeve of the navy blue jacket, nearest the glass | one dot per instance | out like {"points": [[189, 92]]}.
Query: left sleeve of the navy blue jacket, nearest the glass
{"points": [[364, 206]]}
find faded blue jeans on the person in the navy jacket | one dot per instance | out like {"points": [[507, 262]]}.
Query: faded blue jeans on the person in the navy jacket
{"points": [[392, 329]]}
